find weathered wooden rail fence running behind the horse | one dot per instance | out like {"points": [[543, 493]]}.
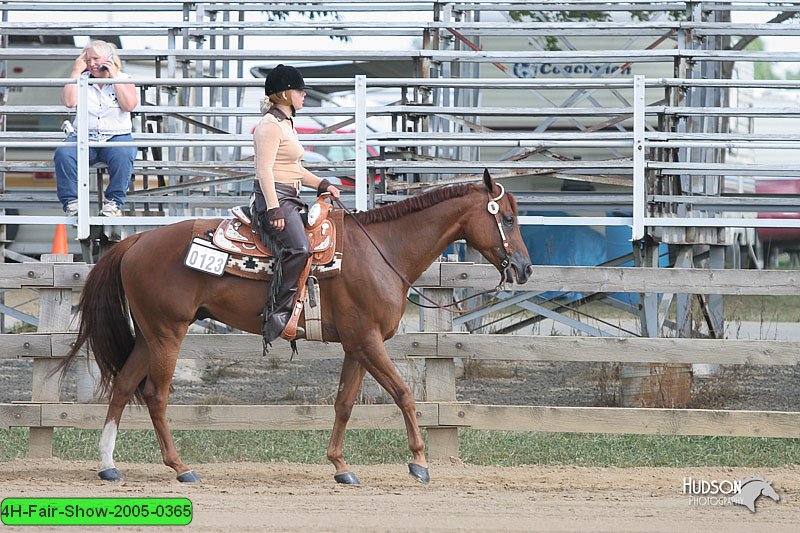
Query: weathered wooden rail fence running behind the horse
{"points": [[438, 411]]}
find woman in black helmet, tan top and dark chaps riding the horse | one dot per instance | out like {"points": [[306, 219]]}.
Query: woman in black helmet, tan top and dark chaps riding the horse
{"points": [[276, 203]]}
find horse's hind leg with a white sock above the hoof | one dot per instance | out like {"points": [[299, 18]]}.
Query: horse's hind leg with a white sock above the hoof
{"points": [[125, 385]]}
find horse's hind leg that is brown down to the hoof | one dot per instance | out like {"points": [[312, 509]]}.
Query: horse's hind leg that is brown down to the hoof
{"points": [[156, 394]]}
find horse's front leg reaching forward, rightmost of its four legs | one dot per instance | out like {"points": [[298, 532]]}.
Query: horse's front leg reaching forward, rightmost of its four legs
{"points": [[374, 358]]}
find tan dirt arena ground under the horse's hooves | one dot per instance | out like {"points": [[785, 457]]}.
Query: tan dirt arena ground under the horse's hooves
{"points": [[292, 497]]}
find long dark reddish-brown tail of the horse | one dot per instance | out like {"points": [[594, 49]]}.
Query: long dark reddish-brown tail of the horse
{"points": [[104, 325]]}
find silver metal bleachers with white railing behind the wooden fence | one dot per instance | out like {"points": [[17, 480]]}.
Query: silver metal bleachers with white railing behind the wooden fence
{"points": [[615, 114]]}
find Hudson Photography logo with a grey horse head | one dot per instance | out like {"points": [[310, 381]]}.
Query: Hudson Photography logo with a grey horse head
{"points": [[745, 491]]}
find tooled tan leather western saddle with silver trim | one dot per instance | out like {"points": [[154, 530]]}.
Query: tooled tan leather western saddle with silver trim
{"points": [[250, 258]]}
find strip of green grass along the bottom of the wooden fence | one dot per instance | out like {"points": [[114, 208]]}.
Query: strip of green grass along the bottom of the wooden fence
{"points": [[503, 448]]}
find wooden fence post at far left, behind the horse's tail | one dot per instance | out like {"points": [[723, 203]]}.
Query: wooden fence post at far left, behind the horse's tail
{"points": [[55, 311]]}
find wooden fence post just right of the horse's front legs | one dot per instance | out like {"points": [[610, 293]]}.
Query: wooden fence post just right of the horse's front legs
{"points": [[440, 377]]}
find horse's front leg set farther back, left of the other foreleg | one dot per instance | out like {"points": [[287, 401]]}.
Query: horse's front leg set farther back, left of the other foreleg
{"points": [[349, 384]]}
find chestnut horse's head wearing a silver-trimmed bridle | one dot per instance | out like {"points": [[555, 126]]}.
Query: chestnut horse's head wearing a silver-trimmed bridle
{"points": [[494, 231]]}
